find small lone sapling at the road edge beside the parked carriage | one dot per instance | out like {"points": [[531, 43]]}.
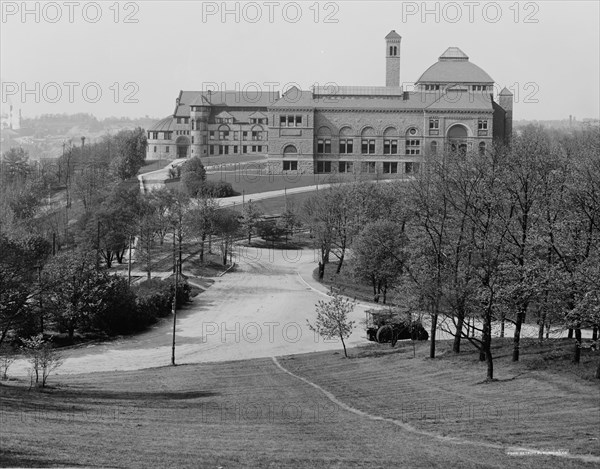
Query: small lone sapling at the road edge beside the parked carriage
{"points": [[332, 319]]}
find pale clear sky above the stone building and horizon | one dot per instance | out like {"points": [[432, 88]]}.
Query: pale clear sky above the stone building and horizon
{"points": [[131, 59]]}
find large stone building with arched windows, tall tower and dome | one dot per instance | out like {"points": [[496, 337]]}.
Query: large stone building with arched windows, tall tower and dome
{"points": [[382, 129]]}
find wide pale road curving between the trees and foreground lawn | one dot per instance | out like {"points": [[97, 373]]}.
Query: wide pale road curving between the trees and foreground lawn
{"points": [[258, 310]]}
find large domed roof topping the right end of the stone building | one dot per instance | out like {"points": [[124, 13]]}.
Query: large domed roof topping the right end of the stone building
{"points": [[453, 66]]}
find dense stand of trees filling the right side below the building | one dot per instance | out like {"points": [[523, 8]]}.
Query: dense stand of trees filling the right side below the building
{"points": [[492, 238]]}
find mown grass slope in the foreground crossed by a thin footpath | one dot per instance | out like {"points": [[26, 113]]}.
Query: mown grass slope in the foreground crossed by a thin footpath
{"points": [[251, 414]]}
